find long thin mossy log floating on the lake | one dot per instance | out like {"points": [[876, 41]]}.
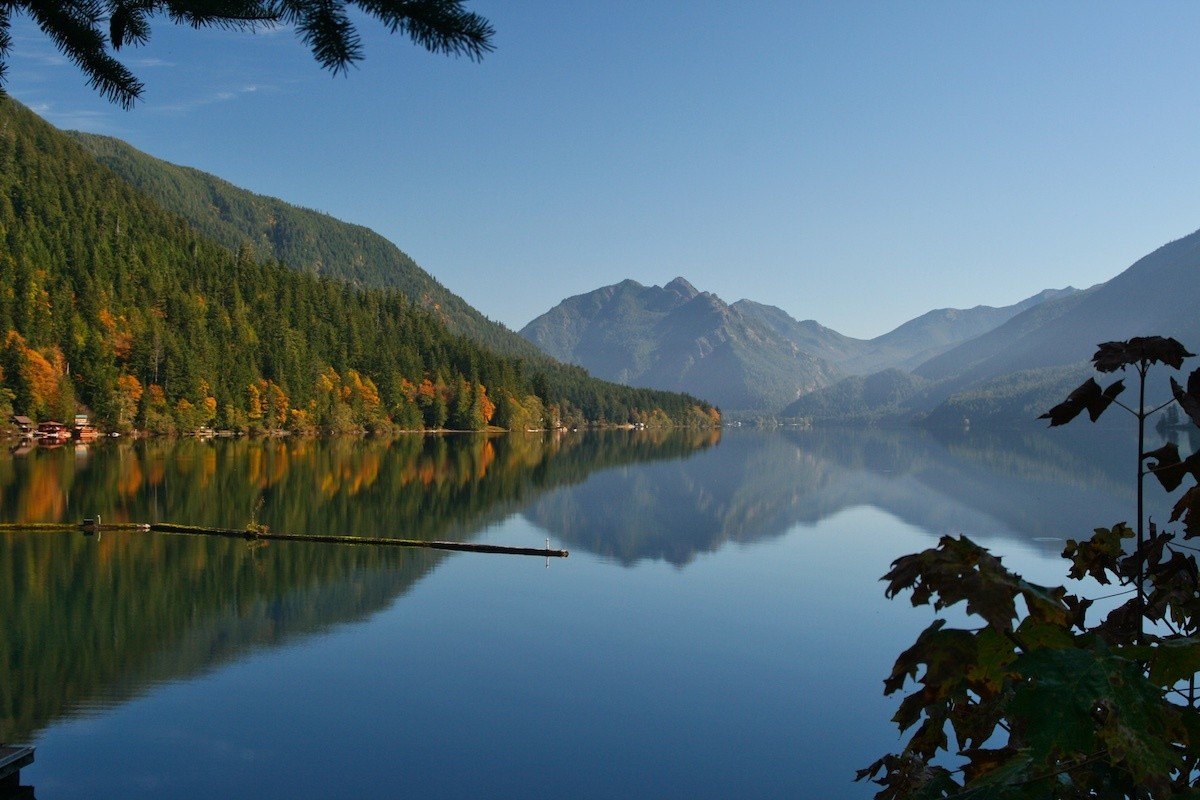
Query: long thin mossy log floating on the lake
{"points": [[91, 527]]}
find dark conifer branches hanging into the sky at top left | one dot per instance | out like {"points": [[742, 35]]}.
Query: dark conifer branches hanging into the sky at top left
{"points": [[89, 32]]}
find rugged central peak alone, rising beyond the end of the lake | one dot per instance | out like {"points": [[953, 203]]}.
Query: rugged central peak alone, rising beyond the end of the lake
{"points": [[677, 339]]}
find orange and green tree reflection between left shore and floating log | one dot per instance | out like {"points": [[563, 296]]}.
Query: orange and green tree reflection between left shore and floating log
{"points": [[419, 488]]}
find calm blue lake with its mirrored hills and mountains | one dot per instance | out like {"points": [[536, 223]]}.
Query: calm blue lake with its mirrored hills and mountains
{"points": [[718, 631]]}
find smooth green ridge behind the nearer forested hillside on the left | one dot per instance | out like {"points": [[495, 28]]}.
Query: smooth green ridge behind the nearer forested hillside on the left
{"points": [[299, 238]]}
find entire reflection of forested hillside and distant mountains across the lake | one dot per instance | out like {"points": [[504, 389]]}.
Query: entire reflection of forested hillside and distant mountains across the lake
{"points": [[93, 622]]}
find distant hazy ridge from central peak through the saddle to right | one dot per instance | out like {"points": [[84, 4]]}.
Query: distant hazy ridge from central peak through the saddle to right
{"points": [[745, 357]]}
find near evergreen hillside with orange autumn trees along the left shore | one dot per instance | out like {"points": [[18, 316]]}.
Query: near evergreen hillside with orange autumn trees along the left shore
{"points": [[111, 302]]}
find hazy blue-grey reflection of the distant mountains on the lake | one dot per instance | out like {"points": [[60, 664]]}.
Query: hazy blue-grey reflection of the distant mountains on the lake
{"points": [[1036, 488]]}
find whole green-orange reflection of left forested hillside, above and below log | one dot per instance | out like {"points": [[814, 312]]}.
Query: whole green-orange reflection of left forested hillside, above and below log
{"points": [[94, 621]]}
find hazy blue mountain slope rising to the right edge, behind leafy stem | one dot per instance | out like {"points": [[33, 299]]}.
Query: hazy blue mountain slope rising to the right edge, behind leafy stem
{"points": [[1015, 372]]}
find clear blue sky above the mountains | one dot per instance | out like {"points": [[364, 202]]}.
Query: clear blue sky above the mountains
{"points": [[857, 164]]}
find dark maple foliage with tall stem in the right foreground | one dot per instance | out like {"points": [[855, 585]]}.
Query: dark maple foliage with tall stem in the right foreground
{"points": [[1040, 701]]}
